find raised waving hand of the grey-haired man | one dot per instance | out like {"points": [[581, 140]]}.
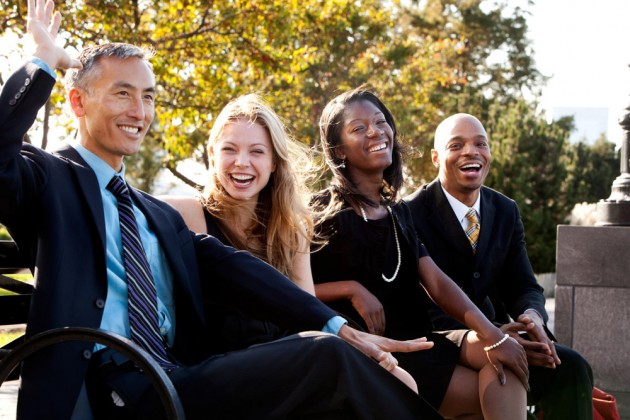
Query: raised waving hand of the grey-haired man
{"points": [[43, 26]]}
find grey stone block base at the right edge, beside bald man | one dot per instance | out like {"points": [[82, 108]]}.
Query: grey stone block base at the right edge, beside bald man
{"points": [[592, 312]]}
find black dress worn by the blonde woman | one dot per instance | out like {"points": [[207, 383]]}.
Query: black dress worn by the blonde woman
{"points": [[230, 329]]}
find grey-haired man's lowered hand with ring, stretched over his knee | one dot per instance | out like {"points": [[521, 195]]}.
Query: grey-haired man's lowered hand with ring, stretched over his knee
{"points": [[380, 348]]}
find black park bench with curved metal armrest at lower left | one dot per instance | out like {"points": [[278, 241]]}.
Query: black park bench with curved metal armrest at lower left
{"points": [[14, 308]]}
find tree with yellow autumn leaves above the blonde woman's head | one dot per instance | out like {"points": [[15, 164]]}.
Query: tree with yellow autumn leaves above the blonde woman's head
{"points": [[210, 52]]}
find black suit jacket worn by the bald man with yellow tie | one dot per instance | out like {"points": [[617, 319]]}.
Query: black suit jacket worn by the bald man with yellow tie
{"points": [[499, 278]]}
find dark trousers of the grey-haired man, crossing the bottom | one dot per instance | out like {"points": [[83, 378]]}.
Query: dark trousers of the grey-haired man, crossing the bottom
{"points": [[305, 376]]}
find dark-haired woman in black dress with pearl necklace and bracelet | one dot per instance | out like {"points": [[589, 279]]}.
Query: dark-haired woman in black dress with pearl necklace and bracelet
{"points": [[372, 267]]}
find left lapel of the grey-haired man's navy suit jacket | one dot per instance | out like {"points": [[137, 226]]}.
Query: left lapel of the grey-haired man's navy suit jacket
{"points": [[89, 187]]}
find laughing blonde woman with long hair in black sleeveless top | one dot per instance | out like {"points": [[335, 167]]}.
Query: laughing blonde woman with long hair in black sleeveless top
{"points": [[254, 201]]}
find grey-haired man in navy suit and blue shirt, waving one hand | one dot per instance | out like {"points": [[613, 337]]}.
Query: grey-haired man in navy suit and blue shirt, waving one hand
{"points": [[62, 214]]}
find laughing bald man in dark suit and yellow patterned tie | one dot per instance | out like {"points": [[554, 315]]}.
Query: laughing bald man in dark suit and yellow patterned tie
{"points": [[495, 272]]}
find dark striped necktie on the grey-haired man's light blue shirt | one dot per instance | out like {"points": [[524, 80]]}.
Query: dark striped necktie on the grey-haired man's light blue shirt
{"points": [[142, 302]]}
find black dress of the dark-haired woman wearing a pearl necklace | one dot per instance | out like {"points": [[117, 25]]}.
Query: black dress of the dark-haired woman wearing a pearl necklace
{"points": [[364, 251]]}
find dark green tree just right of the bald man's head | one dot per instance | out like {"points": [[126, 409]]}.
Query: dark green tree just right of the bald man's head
{"points": [[529, 164]]}
